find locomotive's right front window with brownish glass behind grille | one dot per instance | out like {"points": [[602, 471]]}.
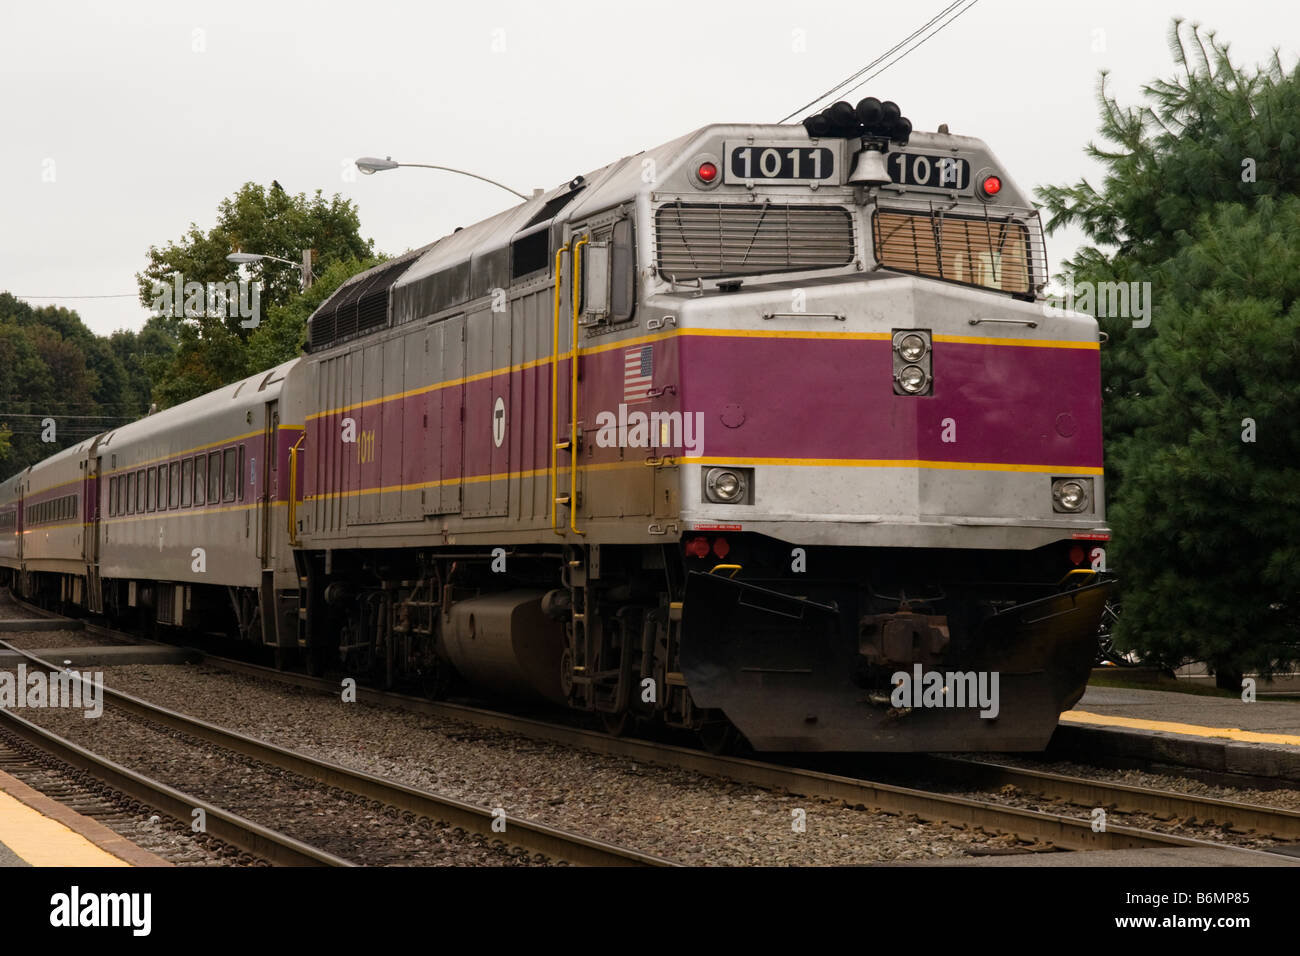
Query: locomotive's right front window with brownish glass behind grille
{"points": [[976, 248]]}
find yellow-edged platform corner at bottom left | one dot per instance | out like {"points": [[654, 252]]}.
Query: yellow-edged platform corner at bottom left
{"points": [[37, 830]]}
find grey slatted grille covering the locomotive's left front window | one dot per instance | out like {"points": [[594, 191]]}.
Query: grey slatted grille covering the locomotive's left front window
{"points": [[714, 240]]}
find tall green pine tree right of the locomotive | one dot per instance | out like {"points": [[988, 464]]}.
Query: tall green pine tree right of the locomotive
{"points": [[1199, 200]]}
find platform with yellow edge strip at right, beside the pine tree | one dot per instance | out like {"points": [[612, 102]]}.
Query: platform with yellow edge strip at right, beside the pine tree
{"points": [[1220, 734]]}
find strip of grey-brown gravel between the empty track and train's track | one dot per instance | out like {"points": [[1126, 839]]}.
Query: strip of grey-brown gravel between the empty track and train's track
{"points": [[687, 817]]}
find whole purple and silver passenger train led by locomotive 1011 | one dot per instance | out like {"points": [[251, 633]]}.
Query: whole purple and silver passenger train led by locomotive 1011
{"points": [[766, 432]]}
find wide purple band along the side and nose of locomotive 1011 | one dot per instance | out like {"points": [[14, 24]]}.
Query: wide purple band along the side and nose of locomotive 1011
{"points": [[800, 399]]}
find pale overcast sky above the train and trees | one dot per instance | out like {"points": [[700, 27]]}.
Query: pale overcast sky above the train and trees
{"points": [[123, 123]]}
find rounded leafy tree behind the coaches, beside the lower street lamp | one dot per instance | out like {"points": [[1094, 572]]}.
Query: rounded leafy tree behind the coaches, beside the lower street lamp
{"points": [[211, 348]]}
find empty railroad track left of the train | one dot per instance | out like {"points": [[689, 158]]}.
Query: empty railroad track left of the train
{"points": [[521, 836]]}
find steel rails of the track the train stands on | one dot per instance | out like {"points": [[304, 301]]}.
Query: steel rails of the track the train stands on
{"points": [[1050, 830]]}
